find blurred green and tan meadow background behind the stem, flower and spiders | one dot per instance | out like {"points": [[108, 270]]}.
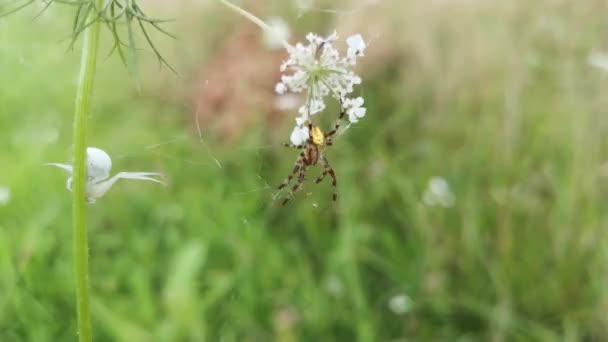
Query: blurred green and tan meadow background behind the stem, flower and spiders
{"points": [[496, 97]]}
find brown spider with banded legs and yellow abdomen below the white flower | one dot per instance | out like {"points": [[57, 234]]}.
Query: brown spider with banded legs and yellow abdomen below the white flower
{"points": [[312, 153]]}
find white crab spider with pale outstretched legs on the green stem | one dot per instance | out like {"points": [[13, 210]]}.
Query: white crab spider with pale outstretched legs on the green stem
{"points": [[99, 165]]}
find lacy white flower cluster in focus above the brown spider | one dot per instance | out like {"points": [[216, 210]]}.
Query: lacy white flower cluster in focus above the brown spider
{"points": [[318, 69]]}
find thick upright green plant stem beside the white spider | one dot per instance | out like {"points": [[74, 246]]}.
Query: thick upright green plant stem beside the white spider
{"points": [[84, 92]]}
